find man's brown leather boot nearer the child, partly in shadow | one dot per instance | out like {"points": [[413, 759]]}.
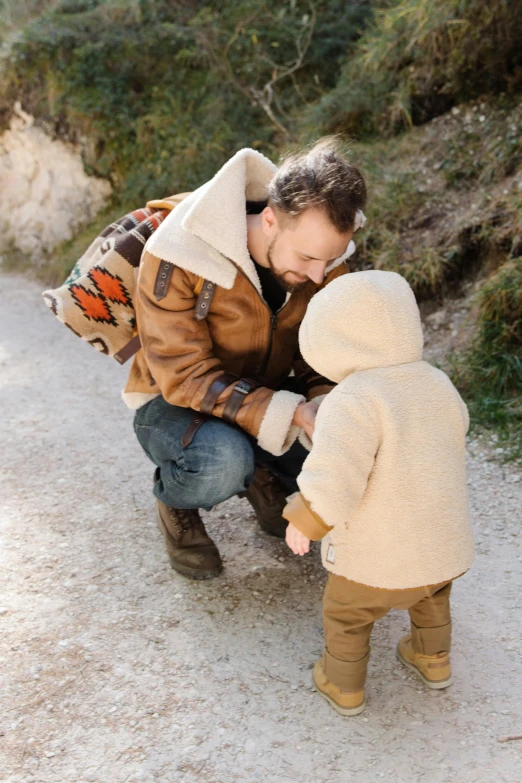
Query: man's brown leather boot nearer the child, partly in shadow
{"points": [[267, 496]]}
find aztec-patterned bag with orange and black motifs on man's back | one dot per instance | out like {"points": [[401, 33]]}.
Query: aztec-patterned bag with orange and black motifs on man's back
{"points": [[96, 300]]}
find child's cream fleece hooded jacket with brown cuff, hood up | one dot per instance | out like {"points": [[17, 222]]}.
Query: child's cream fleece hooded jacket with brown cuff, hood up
{"points": [[385, 482]]}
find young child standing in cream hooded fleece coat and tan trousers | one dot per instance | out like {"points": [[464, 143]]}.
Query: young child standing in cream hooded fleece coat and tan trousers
{"points": [[384, 485]]}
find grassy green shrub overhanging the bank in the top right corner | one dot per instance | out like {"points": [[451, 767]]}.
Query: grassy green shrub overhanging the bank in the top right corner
{"points": [[418, 59]]}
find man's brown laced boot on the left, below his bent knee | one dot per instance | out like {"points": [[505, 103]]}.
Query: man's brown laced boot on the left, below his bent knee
{"points": [[191, 550]]}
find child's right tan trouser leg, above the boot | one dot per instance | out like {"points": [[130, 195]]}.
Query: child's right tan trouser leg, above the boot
{"points": [[431, 622]]}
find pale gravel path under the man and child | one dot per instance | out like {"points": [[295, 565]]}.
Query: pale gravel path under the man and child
{"points": [[116, 669]]}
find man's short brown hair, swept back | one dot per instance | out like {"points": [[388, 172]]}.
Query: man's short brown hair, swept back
{"points": [[320, 177]]}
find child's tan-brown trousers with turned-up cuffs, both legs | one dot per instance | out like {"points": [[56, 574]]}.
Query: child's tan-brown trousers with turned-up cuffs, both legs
{"points": [[350, 610]]}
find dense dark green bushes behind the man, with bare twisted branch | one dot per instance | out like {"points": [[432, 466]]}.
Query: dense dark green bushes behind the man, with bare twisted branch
{"points": [[166, 91]]}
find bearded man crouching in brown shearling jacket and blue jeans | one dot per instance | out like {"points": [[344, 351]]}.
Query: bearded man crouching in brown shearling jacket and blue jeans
{"points": [[223, 286]]}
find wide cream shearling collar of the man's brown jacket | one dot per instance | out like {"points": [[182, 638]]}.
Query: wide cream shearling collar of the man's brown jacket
{"points": [[208, 229]]}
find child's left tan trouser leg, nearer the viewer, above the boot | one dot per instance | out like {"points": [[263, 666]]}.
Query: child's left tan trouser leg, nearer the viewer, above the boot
{"points": [[349, 612]]}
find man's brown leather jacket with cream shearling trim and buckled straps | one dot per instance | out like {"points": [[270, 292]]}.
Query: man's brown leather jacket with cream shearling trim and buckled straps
{"points": [[231, 358]]}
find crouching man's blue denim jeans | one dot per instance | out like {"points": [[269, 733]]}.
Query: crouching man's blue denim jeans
{"points": [[219, 463]]}
